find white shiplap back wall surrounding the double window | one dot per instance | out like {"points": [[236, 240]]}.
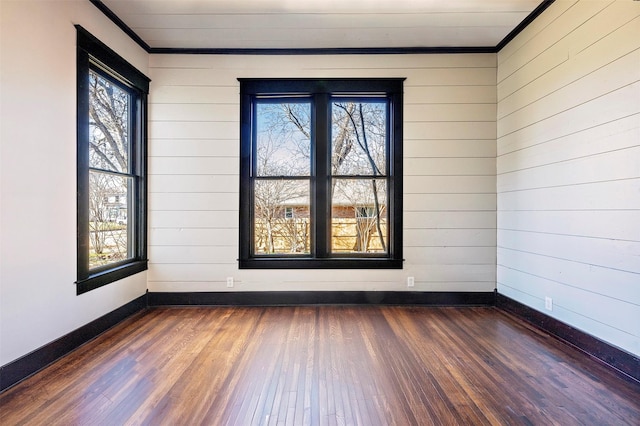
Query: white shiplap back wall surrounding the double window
{"points": [[449, 199]]}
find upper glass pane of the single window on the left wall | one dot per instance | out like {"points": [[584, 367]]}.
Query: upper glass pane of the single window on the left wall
{"points": [[108, 125]]}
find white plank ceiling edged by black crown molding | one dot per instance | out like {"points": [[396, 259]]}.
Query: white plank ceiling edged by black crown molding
{"points": [[308, 24]]}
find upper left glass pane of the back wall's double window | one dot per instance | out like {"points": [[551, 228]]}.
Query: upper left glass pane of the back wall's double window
{"points": [[283, 139]]}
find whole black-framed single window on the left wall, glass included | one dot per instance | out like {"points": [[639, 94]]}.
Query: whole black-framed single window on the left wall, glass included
{"points": [[111, 146]]}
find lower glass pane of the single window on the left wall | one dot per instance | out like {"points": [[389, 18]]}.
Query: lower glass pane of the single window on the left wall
{"points": [[109, 225]]}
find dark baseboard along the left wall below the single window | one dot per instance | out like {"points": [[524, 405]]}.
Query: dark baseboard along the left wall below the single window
{"points": [[23, 367]]}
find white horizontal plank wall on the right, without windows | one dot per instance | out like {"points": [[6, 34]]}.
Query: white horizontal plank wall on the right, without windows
{"points": [[568, 168]]}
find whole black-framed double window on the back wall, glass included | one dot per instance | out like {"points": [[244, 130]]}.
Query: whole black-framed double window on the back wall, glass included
{"points": [[321, 173]]}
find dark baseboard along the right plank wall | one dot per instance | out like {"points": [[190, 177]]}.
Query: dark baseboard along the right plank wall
{"points": [[623, 362]]}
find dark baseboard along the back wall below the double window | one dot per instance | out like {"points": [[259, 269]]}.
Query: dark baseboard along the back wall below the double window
{"points": [[284, 298]]}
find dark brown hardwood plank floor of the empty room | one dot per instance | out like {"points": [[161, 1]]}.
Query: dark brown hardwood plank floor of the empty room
{"points": [[324, 365]]}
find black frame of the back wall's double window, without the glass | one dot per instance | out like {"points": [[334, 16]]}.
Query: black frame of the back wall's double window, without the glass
{"points": [[320, 92]]}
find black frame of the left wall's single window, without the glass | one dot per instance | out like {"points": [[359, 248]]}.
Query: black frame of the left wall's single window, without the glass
{"points": [[93, 55]]}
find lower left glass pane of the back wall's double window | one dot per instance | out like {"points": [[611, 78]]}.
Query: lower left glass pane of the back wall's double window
{"points": [[281, 217]]}
